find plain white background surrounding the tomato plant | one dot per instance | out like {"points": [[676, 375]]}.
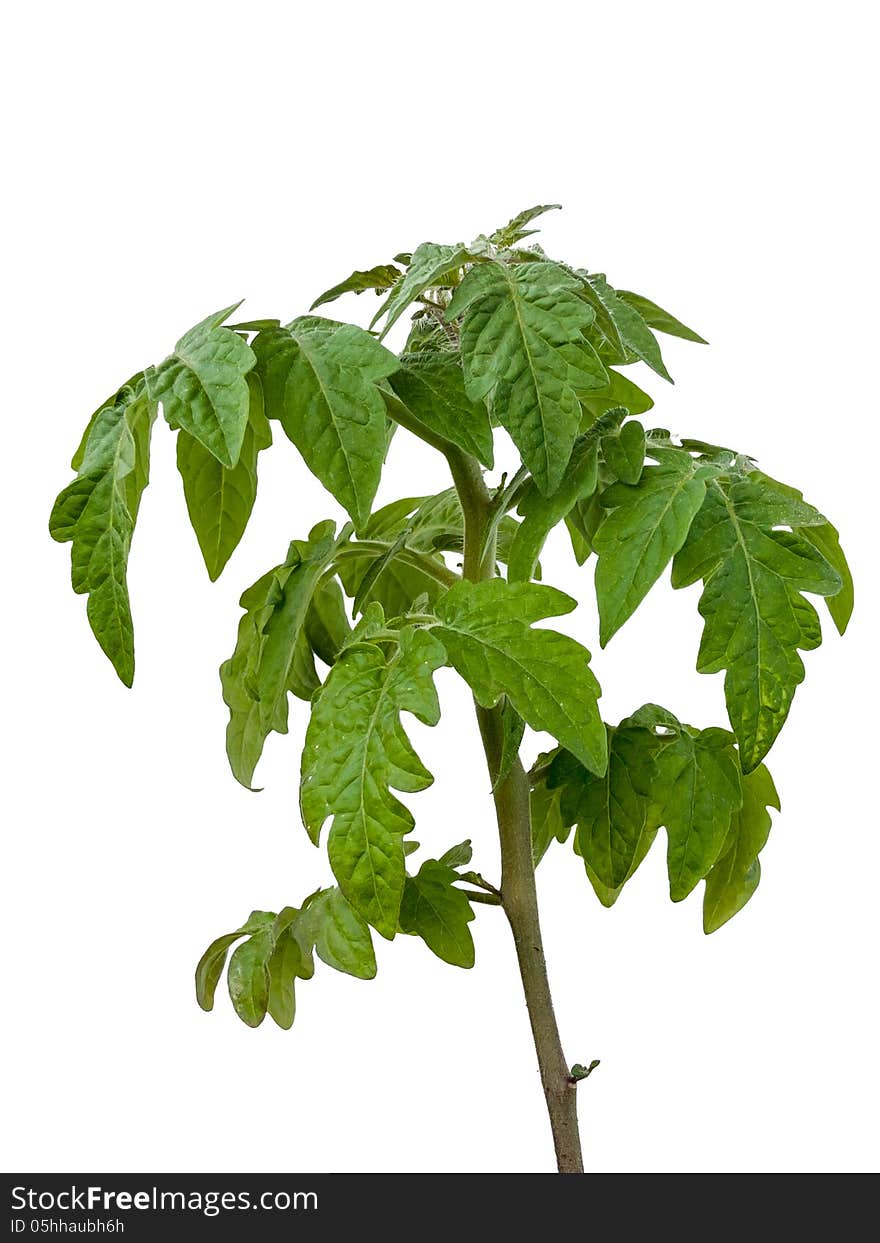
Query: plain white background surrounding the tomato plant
{"points": [[167, 160]]}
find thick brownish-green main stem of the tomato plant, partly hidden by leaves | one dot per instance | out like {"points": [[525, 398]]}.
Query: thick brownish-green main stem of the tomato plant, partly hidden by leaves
{"points": [[519, 893]]}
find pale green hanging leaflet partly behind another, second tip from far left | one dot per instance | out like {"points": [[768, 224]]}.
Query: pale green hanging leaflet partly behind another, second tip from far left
{"points": [[221, 499]]}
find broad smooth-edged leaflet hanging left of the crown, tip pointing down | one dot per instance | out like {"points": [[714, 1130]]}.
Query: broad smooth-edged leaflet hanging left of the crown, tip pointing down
{"points": [[320, 382]]}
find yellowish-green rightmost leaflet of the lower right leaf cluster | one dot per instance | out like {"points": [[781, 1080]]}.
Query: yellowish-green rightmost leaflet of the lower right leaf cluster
{"points": [[736, 876]]}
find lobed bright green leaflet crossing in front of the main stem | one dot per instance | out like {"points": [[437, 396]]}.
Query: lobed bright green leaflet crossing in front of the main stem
{"points": [[487, 631]]}
